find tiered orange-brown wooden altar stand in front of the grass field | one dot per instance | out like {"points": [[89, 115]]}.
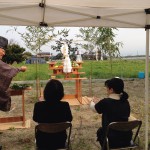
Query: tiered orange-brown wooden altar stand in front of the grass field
{"points": [[69, 76]]}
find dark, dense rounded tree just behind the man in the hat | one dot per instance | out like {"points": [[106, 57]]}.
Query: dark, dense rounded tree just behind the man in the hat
{"points": [[14, 53]]}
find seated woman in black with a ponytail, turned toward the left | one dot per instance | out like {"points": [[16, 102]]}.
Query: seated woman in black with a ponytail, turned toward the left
{"points": [[114, 108]]}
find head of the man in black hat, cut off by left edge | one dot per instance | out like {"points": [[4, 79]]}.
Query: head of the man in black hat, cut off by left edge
{"points": [[3, 46]]}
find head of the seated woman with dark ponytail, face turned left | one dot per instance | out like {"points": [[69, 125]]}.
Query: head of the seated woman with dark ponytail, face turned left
{"points": [[116, 85]]}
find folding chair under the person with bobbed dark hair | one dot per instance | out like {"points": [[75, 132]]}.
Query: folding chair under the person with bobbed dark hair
{"points": [[55, 128]]}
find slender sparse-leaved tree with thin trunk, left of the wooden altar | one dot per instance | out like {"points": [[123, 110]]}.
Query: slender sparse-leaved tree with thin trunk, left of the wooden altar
{"points": [[34, 38]]}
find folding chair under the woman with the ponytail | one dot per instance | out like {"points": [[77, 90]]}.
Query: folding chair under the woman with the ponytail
{"points": [[133, 125]]}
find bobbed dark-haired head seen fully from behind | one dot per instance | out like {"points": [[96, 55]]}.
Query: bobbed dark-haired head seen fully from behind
{"points": [[54, 91]]}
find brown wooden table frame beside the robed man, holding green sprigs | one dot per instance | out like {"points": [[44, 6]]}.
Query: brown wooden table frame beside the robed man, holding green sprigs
{"points": [[16, 118]]}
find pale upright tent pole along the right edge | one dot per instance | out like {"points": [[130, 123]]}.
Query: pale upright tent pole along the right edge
{"points": [[146, 89]]}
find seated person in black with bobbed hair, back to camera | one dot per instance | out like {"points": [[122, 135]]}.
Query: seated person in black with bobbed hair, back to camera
{"points": [[52, 110]]}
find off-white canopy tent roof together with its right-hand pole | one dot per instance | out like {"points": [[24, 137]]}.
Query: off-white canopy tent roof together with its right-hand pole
{"points": [[83, 13]]}
